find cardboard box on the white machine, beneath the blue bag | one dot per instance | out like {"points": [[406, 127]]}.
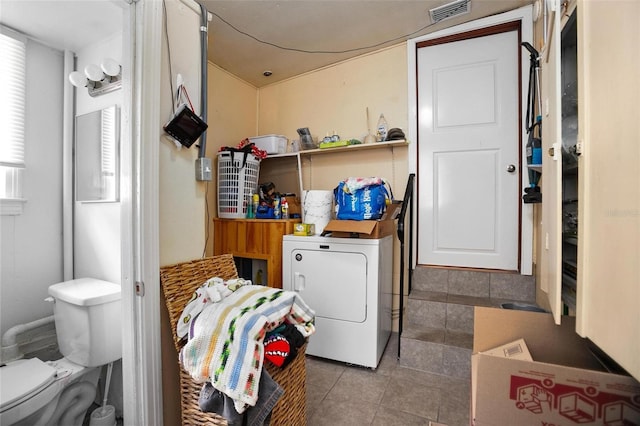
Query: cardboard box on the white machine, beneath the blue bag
{"points": [[365, 228]]}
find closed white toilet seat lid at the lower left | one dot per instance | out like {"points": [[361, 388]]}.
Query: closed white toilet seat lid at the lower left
{"points": [[19, 379]]}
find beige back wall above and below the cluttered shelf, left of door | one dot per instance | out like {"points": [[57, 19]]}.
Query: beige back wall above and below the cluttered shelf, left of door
{"points": [[335, 98]]}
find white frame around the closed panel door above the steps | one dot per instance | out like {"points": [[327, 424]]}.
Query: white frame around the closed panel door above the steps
{"points": [[525, 16]]}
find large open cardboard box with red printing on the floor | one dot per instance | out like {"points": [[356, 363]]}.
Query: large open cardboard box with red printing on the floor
{"points": [[562, 384]]}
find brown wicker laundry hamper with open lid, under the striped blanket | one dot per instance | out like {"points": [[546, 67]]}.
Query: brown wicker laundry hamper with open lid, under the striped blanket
{"points": [[179, 281]]}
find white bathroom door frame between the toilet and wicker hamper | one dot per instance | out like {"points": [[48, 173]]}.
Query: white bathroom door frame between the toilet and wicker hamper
{"points": [[141, 361]]}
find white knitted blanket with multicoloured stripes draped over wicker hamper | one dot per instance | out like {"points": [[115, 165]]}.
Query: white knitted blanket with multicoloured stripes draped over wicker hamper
{"points": [[225, 345]]}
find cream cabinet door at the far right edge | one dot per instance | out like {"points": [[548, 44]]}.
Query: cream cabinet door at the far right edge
{"points": [[608, 305]]}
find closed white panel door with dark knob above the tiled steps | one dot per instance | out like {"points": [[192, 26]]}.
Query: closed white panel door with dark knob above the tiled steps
{"points": [[468, 152]]}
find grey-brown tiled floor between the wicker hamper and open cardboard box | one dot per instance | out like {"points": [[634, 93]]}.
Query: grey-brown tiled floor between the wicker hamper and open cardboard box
{"points": [[340, 394]]}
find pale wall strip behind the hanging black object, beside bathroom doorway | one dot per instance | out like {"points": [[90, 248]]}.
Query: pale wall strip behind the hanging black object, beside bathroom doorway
{"points": [[181, 203]]}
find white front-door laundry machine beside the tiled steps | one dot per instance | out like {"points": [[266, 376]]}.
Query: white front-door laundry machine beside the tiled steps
{"points": [[348, 282]]}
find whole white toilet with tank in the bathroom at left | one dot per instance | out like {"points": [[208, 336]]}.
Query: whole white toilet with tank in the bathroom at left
{"points": [[88, 323]]}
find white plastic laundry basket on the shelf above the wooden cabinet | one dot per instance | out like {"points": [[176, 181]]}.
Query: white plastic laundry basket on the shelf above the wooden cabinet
{"points": [[237, 182]]}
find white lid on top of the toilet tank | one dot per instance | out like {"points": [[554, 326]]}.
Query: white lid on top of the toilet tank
{"points": [[86, 291]]}
